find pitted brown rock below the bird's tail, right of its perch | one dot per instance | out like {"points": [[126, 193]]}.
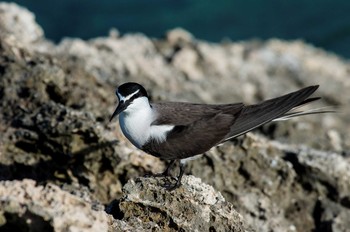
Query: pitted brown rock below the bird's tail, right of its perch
{"points": [[279, 187]]}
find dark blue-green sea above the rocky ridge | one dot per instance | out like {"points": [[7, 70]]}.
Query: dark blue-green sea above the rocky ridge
{"points": [[323, 23]]}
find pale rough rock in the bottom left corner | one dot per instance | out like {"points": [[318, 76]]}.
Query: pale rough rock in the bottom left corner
{"points": [[26, 206]]}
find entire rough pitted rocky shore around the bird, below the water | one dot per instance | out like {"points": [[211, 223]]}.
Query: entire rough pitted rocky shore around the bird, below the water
{"points": [[55, 102]]}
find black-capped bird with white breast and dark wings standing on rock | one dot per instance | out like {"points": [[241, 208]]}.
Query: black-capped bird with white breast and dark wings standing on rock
{"points": [[180, 131]]}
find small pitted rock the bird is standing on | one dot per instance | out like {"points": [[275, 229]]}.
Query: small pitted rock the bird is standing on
{"points": [[193, 207]]}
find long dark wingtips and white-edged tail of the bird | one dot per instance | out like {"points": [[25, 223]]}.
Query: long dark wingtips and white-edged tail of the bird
{"points": [[274, 109]]}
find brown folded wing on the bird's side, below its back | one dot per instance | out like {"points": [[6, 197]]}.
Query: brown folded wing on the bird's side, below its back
{"points": [[193, 139]]}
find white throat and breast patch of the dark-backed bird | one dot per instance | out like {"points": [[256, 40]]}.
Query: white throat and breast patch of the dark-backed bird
{"points": [[135, 122]]}
